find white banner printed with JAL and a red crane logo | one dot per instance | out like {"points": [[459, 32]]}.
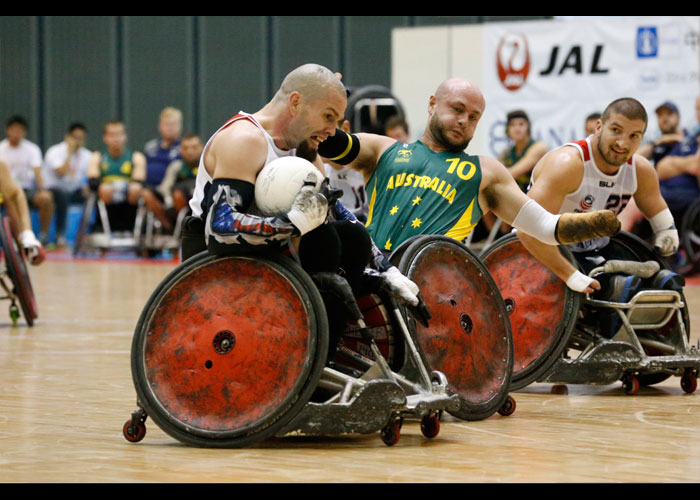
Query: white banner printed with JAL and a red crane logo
{"points": [[561, 71]]}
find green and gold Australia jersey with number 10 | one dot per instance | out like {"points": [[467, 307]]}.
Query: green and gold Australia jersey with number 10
{"points": [[416, 191]]}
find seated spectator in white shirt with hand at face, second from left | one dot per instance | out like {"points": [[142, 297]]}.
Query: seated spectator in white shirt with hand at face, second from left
{"points": [[65, 168]]}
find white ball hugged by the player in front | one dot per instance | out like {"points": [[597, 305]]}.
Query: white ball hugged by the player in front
{"points": [[279, 182]]}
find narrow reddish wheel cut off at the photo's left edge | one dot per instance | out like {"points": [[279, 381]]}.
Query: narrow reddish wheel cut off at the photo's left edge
{"points": [[16, 264]]}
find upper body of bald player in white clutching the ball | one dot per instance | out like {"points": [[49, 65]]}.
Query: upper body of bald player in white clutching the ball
{"points": [[307, 106]]}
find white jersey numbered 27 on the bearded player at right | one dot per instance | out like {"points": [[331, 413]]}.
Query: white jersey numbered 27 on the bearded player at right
{"points": [[599, 191]]}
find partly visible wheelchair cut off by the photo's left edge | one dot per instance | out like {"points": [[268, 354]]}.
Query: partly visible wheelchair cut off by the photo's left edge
{"points": [[19, 288]]}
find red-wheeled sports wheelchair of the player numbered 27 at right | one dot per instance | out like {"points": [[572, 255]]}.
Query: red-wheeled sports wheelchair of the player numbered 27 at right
{"points": [[639, 336]]}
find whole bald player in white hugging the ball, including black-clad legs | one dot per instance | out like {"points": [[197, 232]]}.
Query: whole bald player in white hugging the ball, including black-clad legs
{"points": [[303, 113]]}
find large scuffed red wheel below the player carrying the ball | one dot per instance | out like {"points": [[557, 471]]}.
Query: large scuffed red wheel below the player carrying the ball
{"points": [[228, 350]]}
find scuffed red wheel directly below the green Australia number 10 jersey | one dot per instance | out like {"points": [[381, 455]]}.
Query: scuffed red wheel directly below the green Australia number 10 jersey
{"points": [[469, 338]]}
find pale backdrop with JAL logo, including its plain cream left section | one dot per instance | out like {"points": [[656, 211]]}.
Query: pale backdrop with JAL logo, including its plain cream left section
{"points": [[557, 71]]}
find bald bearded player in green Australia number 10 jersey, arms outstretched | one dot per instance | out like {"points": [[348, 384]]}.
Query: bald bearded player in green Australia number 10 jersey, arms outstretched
{"points": [[433, 187]]}
